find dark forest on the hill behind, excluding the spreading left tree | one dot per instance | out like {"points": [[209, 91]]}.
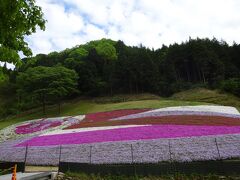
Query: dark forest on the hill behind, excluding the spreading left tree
{"points": [[107, 67]]}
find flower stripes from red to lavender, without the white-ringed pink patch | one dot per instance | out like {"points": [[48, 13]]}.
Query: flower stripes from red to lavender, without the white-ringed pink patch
{"points": [[133, 136]]}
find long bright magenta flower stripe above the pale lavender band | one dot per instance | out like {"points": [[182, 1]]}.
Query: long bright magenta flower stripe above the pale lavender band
{"points": [[132, 133]]}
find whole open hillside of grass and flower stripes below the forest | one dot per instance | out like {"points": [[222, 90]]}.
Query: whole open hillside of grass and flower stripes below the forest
{"points": [[128, 129]]}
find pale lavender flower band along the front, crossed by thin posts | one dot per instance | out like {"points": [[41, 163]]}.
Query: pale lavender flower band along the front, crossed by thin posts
{"points": [[141, 151]]}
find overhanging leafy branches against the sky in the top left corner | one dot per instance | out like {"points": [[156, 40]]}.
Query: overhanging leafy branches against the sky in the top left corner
{"points": [[18, 18]]}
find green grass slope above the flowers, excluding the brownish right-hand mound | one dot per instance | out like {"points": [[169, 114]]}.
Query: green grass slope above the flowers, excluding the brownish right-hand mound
{"points": [[79, 106]]}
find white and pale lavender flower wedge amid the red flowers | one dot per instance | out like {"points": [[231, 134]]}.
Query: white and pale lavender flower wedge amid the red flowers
{"points": [[211, 110]]}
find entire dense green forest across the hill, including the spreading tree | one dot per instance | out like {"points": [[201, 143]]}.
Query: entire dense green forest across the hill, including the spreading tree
{"points": [[107, 67]]}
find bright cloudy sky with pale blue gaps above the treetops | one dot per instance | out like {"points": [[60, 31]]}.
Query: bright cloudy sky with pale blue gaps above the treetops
{"points": [[150, 22]]}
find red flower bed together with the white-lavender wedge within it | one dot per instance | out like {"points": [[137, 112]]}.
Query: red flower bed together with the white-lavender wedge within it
{"points": [[183, 115]]}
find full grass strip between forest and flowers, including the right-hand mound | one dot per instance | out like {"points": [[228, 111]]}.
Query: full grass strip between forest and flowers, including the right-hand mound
{"points": [[83, 106]]}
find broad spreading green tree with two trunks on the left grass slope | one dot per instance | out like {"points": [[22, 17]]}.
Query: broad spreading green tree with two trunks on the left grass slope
{"points": [[47, 84]]}
